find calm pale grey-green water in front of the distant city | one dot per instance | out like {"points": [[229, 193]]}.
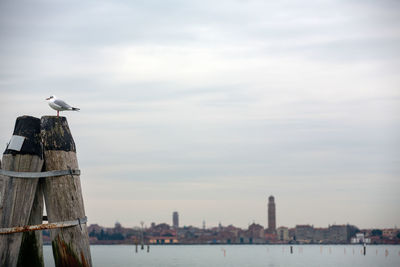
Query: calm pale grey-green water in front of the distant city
{"points": [[241, 256]]}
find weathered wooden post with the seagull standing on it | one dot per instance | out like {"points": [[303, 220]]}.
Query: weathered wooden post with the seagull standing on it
{"points": [[63, 194]]}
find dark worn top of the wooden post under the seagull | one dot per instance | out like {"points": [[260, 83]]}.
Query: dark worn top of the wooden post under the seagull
{"points": [[56, 134]]}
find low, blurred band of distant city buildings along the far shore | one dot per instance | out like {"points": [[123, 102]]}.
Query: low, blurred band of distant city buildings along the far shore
{"points": [[255, 234]]}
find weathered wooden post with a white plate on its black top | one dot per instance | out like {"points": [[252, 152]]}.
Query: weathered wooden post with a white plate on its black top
{"points": [[18, 194]]}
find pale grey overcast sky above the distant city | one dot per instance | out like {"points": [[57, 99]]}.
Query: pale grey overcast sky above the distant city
{"points": [[208, 107]]}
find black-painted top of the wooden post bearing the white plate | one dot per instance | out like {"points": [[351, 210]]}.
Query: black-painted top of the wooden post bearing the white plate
{"points": [[28, 127]]}
